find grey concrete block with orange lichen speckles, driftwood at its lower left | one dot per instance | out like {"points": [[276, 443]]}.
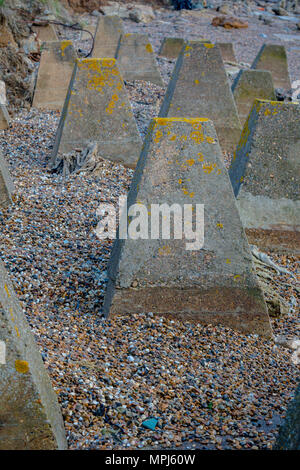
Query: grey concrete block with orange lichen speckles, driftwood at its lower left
{"points": [[97, 109]]}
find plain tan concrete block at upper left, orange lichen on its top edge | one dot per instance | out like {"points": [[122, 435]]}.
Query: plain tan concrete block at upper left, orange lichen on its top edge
{"points": [[55, 71]]}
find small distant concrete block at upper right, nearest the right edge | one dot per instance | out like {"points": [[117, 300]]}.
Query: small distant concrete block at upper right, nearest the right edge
{"points": [[273, 58]]}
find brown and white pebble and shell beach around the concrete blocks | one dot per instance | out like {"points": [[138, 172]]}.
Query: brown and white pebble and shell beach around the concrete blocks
{"points": [[203, 387]]}
